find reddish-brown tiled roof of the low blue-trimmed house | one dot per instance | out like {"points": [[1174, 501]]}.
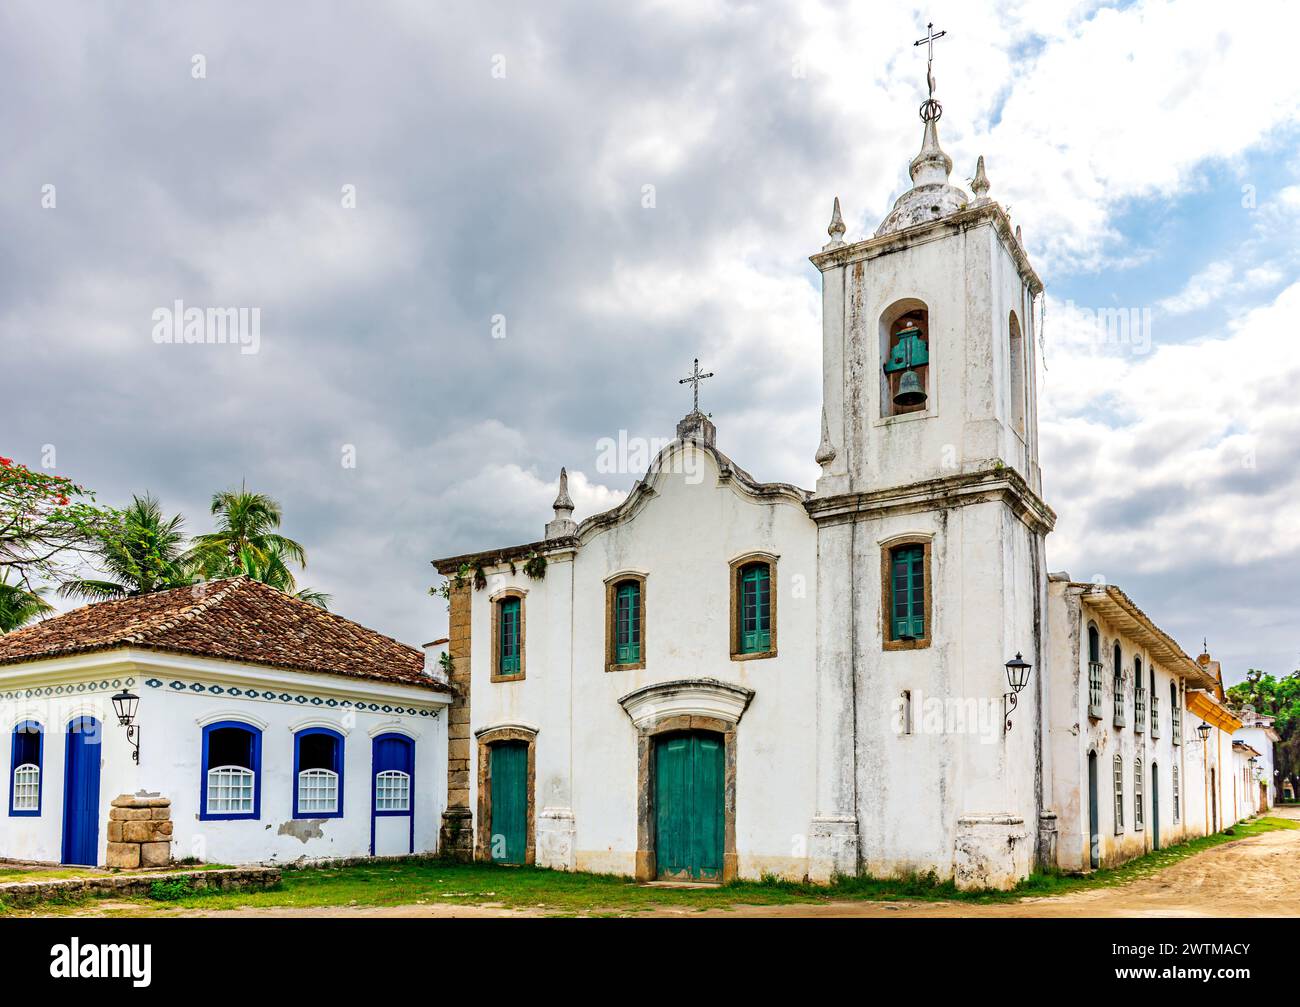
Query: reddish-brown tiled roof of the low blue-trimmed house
{"points": [[235, 619]]}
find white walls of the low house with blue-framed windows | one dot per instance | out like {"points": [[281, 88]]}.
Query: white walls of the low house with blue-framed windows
{"points": [[171, 752]]}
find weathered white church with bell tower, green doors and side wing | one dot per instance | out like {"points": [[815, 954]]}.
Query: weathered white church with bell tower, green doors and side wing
{"points": [[877, 730]]}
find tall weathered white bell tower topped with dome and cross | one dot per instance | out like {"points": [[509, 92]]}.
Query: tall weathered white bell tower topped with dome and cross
{"points": [[931, 528]]}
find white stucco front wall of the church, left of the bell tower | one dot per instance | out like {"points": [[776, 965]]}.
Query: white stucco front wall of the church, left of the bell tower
{"points": [[682, 539]]}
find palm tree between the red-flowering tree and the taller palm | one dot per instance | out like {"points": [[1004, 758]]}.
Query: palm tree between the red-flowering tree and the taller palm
{"points": [[144, 553]]}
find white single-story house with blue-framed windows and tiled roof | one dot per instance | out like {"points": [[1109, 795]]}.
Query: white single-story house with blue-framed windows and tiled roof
{"points": [[278, 731]]}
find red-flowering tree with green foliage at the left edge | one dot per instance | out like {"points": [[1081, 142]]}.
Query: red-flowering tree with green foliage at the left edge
{"points": [[49, 524]]}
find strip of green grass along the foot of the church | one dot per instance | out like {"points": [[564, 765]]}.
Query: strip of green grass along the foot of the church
{"points": [[430, 882]]}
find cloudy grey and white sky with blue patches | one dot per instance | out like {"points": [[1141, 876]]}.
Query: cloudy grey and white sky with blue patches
{"points": [[499, 158]]}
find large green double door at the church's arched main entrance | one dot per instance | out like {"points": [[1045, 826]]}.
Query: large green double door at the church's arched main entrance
{"points": [[690, 808]]}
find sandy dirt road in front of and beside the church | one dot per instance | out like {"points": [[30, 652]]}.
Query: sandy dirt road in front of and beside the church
{"points": [[1253, 878]]}
